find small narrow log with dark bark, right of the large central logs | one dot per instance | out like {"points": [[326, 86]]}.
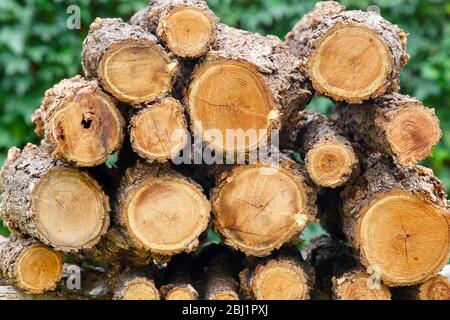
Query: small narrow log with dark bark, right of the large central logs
{"points": [[329, 156]]}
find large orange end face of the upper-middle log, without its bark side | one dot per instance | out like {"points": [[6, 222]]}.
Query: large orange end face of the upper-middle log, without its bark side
{"points": [[227, 96]]}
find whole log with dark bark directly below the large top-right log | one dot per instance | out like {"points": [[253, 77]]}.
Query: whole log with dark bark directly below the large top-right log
{"points": [[394, 124]]}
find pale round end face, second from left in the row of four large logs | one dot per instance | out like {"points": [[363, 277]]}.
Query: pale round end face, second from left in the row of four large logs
{"points": [[166, 216]]}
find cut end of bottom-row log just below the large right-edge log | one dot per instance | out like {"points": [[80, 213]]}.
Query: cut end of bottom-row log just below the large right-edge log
{"points": [[359, 285]]}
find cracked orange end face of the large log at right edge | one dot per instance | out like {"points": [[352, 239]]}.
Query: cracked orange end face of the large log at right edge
{"points": [[403, 237]]}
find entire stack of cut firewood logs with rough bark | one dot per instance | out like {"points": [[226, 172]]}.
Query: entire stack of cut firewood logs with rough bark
{"points": [[175, 75]]}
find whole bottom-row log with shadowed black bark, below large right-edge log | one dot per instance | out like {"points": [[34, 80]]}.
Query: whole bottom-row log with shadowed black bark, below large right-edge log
{"points": [[339, 275]]}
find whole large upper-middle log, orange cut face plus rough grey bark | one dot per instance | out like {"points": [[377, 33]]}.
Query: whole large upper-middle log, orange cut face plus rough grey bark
{"points": [[243, 88]]}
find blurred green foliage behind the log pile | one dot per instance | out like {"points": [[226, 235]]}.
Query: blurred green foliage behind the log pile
{"points": [[37, 50]]}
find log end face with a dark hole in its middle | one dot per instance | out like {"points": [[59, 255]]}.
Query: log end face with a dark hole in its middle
{"points": [[87, 129]]}
